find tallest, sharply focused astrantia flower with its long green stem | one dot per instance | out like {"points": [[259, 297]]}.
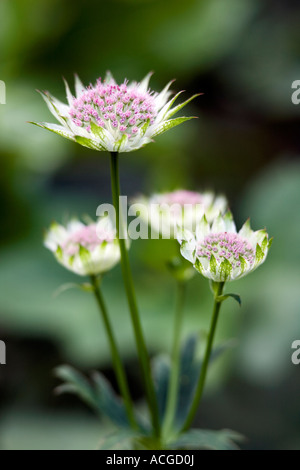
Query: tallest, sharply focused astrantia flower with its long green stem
{"points": [[118, 118]]}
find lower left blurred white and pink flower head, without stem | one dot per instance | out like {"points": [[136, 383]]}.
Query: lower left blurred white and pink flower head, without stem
{"points": [[84, 249]]}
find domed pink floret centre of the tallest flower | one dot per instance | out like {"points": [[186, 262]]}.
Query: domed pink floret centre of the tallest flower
{"points": [[117, 108]]}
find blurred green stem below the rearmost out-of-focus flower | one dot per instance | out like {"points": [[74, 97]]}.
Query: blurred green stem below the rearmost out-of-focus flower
{"points": [[175, 362]]}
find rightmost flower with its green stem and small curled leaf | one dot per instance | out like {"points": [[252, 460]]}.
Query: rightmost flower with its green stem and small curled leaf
{"points": [[221, 254]]}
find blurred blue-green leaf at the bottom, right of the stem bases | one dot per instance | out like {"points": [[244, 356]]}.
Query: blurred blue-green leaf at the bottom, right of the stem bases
{"points": [[206, 439]]}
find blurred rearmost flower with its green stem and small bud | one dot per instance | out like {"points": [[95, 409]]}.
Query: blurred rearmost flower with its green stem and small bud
{"points": [[166, 213]]}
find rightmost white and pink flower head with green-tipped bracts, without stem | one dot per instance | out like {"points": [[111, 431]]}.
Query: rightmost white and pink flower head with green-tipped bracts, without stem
{"points": [[221, 253]]}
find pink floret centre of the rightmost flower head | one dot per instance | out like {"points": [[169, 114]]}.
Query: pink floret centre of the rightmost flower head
{"points": [[228, 246]]}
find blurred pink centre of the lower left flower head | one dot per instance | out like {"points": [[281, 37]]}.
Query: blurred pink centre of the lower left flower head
{"points": [[89, 237]]}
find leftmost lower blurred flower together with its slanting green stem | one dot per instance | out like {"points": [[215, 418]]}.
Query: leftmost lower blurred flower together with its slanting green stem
{"points": [[91, 250]]}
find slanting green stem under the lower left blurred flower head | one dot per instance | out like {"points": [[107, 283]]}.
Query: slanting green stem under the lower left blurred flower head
{"points": [[117, 363]]}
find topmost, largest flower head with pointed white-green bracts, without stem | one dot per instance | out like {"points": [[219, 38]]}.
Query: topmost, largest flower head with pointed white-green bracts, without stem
{"points": [[112, 117]]}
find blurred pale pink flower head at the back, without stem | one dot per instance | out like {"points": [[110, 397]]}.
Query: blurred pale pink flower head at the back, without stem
{"points": [[165, 212]]}
